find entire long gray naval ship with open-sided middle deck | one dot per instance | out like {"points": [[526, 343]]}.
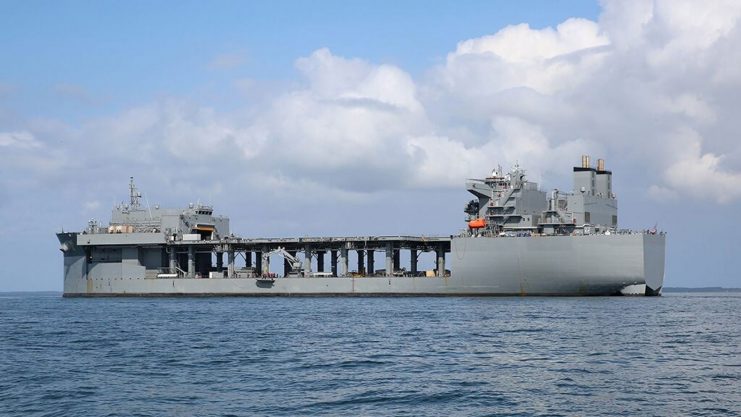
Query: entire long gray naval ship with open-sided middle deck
{"points": [[519, 240]]}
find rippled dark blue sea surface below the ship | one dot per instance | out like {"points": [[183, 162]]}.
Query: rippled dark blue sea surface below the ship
{"points": [[456, 356]]}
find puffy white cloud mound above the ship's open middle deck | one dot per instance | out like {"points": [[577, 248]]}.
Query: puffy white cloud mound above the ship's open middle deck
{"points": [[346, 126]]}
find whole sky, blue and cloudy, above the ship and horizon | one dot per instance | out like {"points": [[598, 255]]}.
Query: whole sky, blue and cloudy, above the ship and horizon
{"points": [[298, 118]]}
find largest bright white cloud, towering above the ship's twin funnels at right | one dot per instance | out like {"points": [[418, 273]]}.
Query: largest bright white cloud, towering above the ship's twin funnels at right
{"points": [[629, 86]]}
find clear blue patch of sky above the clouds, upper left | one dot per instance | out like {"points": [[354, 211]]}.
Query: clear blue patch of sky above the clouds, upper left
{"points": [[128, 53]]}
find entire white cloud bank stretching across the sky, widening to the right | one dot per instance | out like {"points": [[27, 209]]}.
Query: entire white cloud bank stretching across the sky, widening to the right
{"points": [[651, 85]]}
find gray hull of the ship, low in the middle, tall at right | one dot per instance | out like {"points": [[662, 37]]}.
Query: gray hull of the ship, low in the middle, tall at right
{"points": [[548, 266]]}
